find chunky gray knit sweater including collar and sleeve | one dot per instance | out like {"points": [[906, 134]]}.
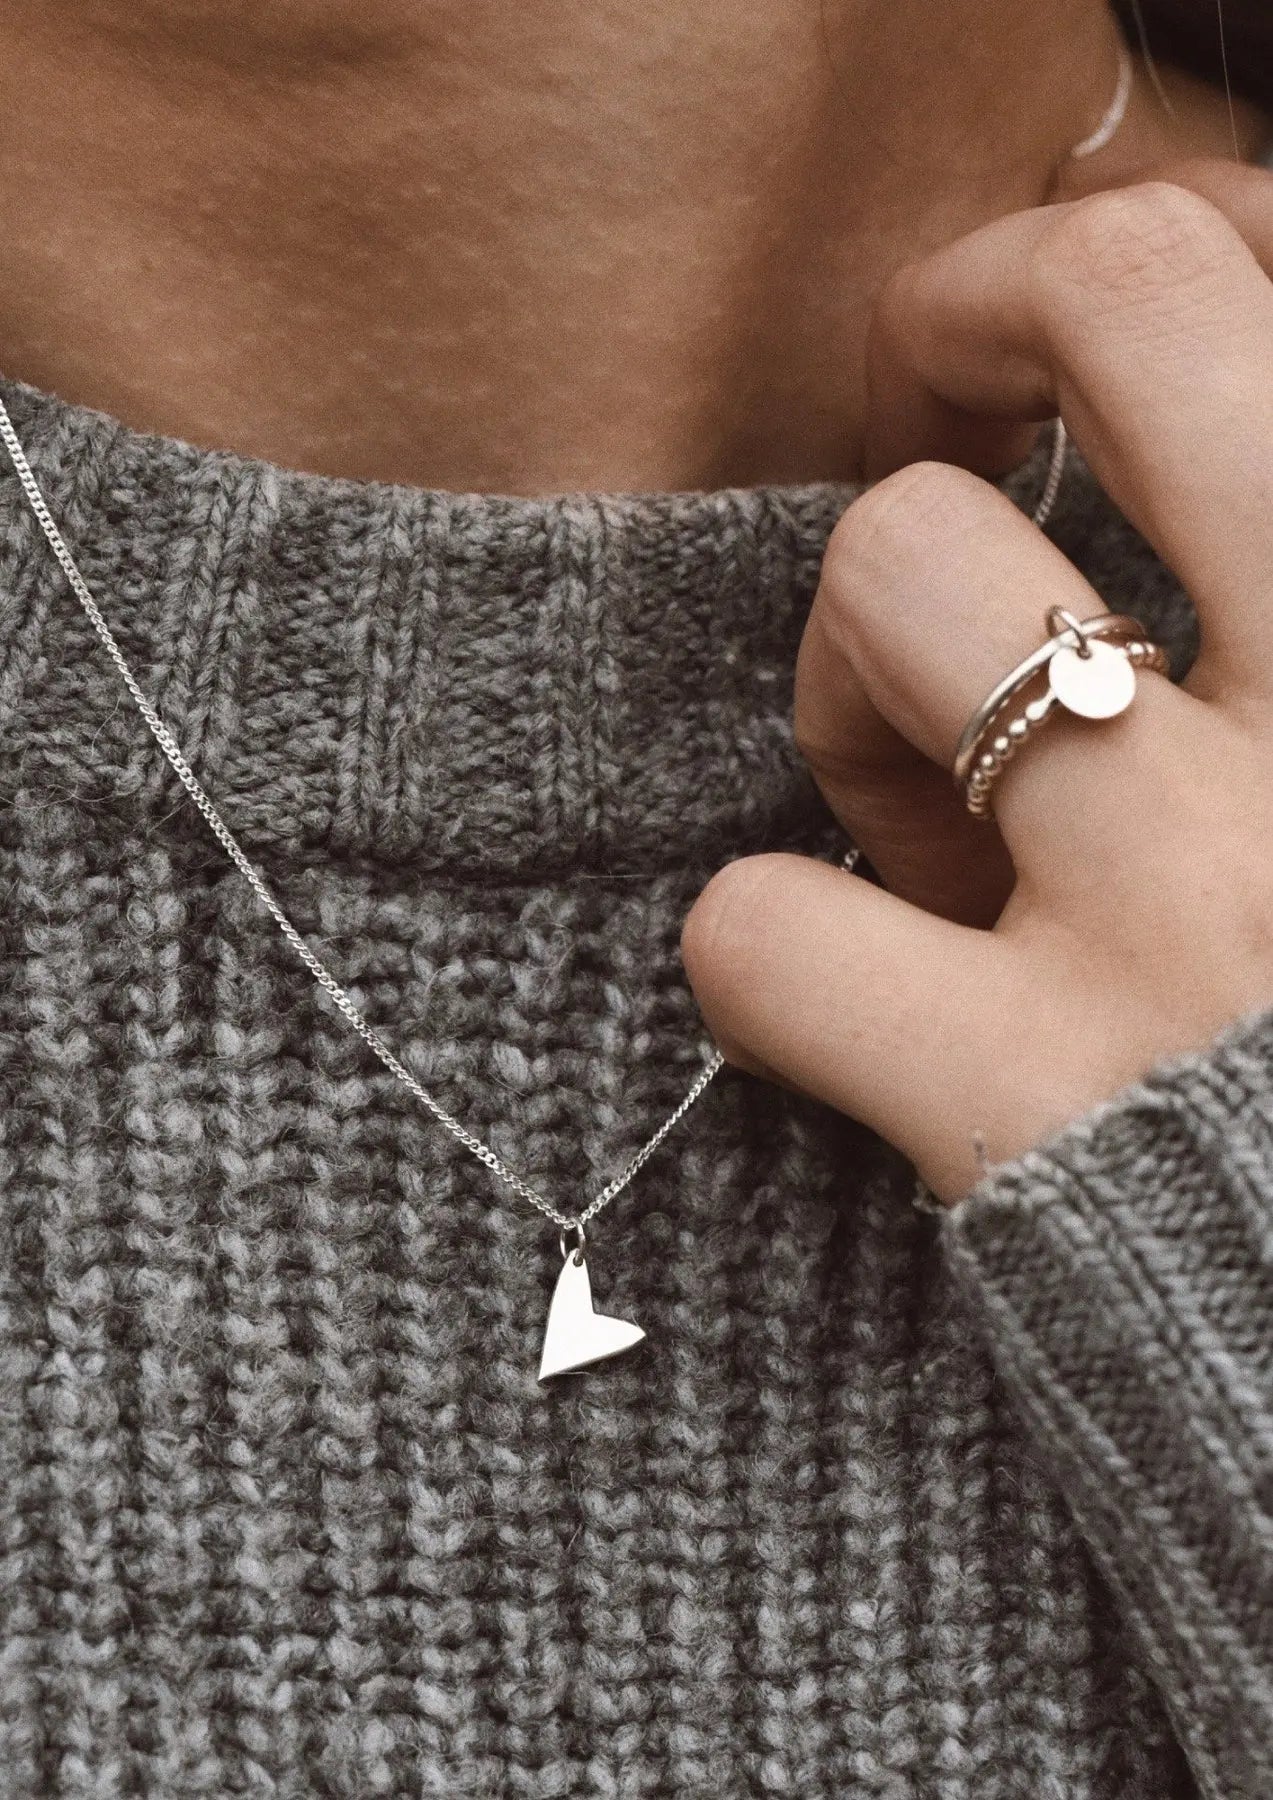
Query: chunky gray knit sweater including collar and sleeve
{"points": [[885, 1507]]}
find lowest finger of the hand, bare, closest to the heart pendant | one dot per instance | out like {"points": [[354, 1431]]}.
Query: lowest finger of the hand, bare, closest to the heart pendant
{"points": [[858, 998]]}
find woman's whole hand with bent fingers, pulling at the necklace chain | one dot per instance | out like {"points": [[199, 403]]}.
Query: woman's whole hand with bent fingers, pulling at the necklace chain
{"points": [[1123, 910]]}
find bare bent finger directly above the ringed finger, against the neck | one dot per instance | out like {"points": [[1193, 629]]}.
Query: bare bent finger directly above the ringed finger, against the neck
{"points": [[1144, 316]]}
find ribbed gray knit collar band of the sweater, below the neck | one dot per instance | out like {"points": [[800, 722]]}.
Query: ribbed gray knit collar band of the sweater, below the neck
{"points": [[473, 683]]}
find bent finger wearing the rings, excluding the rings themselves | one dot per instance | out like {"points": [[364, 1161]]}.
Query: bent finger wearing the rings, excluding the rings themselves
{"points": [[934, 588]]}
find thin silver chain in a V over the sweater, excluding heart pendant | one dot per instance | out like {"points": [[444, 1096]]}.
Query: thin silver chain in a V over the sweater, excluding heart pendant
{"points": [[321, 975]]}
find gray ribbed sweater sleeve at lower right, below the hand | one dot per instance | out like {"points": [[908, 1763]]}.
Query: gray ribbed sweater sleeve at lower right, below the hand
{"points": [[1124, 1279]]}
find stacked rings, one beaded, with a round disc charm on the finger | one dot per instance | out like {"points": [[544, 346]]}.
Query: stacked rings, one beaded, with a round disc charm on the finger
{"points": [[1088, 667]]}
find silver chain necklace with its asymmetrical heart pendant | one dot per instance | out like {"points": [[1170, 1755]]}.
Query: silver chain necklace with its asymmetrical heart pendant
{"points": [[577, 1335]]}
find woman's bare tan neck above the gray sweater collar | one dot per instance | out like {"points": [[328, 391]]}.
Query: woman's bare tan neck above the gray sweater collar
{"points": [[523, 249]]}
